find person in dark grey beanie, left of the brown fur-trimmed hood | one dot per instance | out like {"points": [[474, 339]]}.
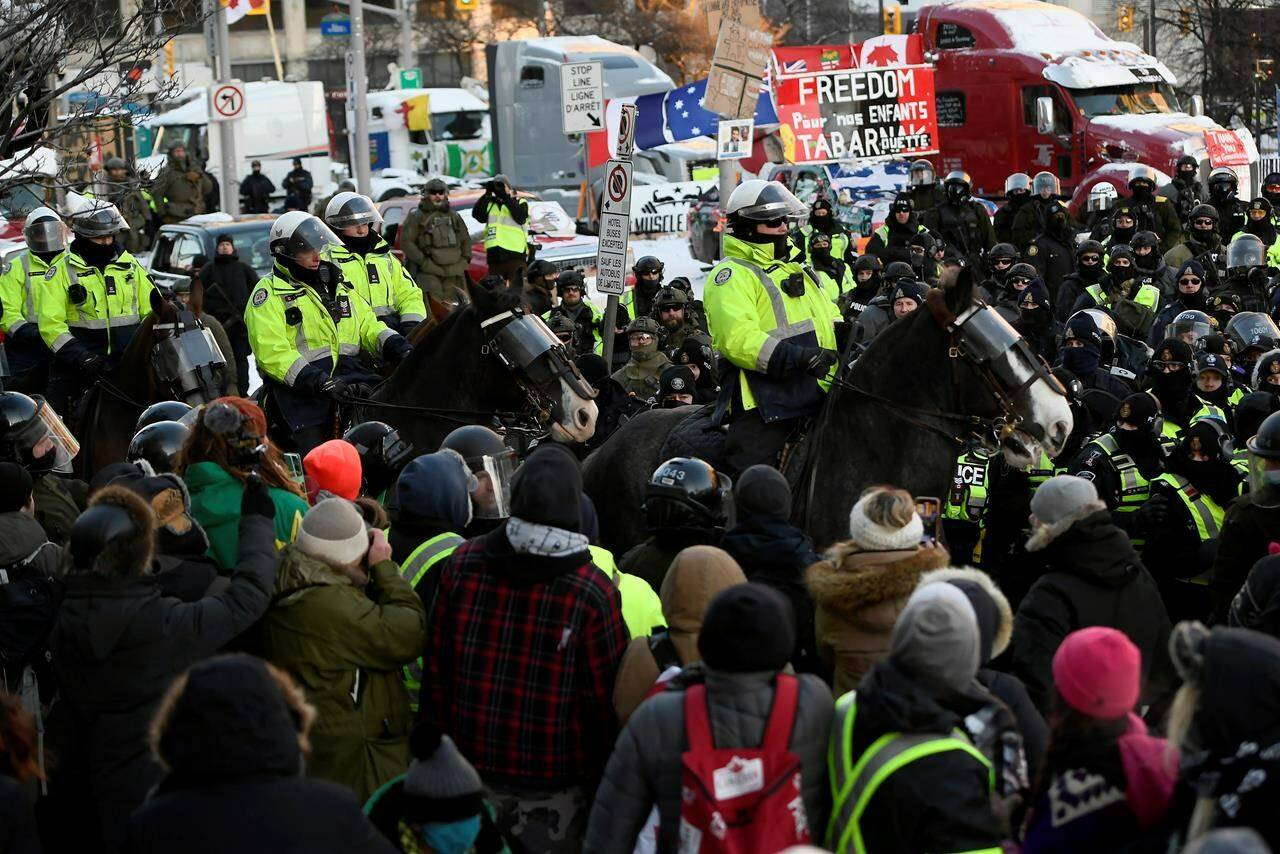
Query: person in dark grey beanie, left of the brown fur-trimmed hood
{"points": [[775, 552]]}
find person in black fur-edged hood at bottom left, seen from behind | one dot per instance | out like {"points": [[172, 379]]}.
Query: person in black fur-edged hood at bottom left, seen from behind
{"points": [[234, 737]]}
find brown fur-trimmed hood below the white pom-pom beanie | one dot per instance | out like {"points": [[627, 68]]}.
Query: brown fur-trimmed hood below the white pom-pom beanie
{"points": [[851, 581]]}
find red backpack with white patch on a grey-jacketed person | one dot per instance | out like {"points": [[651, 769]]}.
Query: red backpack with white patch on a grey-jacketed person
{"points": [[739, 801]]}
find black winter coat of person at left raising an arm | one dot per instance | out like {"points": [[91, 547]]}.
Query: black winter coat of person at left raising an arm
{"points": [[117, 647]]}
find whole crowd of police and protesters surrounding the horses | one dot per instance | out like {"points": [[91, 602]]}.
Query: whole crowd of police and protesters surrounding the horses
{"points": [[263, 629]]}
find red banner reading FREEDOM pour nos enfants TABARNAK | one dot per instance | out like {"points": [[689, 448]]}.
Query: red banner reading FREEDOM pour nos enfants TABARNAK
{"points": [[857, 115]]}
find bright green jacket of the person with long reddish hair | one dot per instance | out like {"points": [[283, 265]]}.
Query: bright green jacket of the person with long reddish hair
{"points": [[216, 500]]}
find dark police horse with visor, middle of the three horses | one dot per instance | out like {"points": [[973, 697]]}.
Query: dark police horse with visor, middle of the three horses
{"points": [[487, 362]]}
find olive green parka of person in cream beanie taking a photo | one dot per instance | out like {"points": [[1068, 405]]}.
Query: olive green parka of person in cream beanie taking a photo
{"points": [[346, 647]]}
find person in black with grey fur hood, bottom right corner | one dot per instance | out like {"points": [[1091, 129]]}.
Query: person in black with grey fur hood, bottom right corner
{"points": [[1227, 724]]}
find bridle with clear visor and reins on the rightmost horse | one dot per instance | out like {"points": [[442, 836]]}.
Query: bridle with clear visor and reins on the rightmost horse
{"points": [[981, 339]]}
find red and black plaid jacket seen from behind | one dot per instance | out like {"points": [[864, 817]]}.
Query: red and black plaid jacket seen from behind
{"points": [[520, 661]]}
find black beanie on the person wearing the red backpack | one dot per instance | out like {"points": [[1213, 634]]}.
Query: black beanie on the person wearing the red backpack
{"points": [[748, 628]]}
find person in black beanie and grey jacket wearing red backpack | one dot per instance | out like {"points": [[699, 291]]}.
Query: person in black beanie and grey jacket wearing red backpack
{"points": [[746, 642]]}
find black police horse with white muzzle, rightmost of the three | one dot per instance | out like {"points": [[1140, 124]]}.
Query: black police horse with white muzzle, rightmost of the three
{"points": [[899, 415]]}
